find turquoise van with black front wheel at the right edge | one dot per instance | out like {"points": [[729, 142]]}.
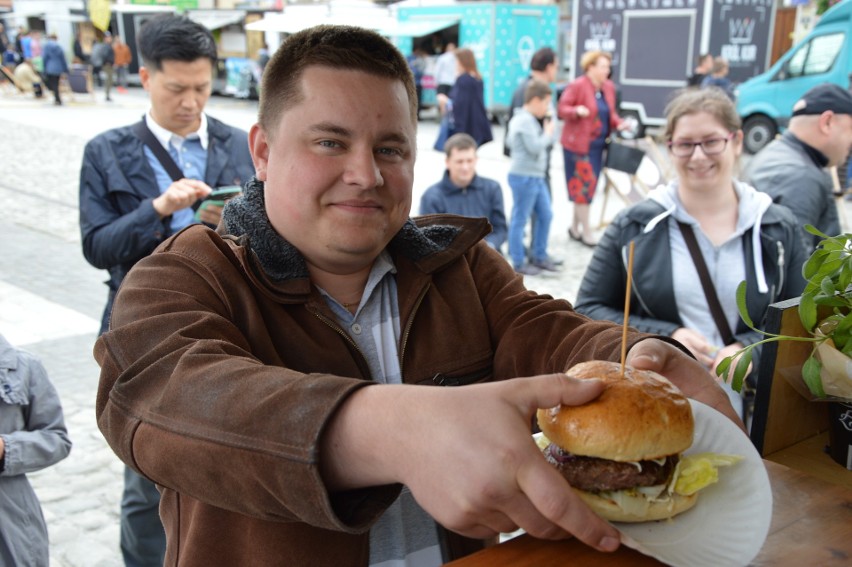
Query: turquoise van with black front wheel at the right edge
{"points": [[765, 102]]}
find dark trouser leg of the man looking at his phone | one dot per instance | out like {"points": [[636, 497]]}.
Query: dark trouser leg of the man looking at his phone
{"points": [[143, 539]]}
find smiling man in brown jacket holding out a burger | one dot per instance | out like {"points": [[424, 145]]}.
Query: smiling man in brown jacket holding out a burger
{"points": [[277, 378]]}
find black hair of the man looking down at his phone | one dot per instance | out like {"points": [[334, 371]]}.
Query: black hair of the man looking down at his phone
{"points": [[168, 37]]}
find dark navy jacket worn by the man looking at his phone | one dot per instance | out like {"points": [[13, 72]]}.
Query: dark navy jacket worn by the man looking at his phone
{"points": [[118, 223]]}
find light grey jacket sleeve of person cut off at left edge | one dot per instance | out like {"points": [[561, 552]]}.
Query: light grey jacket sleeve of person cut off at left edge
{"points": [[44, 440]]}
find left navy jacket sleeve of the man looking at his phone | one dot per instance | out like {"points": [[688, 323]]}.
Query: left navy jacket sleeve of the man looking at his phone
{"points": [[113, 233]]}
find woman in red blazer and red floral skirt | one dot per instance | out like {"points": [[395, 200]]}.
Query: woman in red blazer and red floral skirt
{"points": [[588, 108]]}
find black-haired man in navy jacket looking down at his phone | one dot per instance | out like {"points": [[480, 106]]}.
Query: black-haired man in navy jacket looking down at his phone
{"points": [[130, 202]]}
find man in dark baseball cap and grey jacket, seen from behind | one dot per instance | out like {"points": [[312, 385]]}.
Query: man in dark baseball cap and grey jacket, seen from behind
{"points": [[792, 169]]}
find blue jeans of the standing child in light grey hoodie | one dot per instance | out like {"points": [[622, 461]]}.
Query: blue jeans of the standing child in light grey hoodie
{"points": [[529, 194]]}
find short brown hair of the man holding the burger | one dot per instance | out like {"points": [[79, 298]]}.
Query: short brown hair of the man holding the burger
{"points": [[335, 47]]}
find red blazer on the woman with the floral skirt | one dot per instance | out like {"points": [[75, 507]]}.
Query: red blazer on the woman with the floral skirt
{"points": [[578, 132]]}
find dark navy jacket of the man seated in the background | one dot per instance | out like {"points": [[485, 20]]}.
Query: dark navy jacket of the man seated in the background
{"points": [[482, 198]]}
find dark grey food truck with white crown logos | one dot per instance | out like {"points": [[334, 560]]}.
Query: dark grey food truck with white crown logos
{"points": [[655, 44]]}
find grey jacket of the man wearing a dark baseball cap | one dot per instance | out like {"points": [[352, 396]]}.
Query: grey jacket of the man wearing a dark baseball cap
{"points": [[786, 170]]}
